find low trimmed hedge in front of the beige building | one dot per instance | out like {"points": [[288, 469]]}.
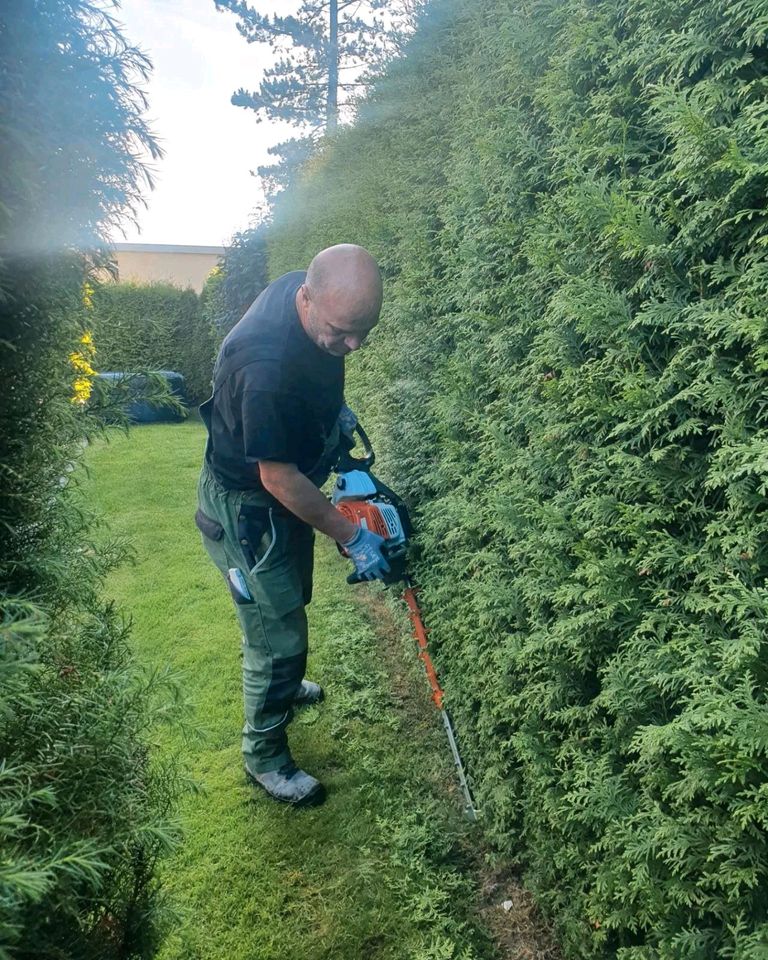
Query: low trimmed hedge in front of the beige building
{"points": [[153, 326]]}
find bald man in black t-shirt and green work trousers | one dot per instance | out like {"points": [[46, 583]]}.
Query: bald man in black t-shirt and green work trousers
{"points": [[274, 425]]}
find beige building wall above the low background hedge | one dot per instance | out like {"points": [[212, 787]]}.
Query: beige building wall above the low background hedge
{"points": [[182, 266]]}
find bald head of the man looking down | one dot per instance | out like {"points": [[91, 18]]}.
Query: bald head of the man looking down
{"points": [[340, 301]]}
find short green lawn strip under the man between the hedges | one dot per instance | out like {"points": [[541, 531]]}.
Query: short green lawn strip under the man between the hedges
{"points": [[383, 869]]}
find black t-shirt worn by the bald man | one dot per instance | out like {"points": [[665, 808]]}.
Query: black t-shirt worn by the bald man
{"points": [[276, 394]]}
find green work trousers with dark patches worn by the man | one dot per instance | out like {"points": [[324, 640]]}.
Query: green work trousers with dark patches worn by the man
{"points": [[265, 554]]}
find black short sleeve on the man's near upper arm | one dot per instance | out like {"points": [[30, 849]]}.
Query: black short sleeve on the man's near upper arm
{"points": [[272, 424]]}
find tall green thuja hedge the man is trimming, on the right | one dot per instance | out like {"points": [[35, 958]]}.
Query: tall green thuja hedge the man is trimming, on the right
{"points": [[569, 384]]}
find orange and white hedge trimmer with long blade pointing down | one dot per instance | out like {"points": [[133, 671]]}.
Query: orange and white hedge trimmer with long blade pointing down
{"points": [[362, 498]]}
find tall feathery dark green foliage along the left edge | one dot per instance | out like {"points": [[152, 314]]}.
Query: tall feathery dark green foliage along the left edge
{"points": [[82, 807]]}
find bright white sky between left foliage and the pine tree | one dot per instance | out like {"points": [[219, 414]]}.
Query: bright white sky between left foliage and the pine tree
{"points": [[204, 190]]}
